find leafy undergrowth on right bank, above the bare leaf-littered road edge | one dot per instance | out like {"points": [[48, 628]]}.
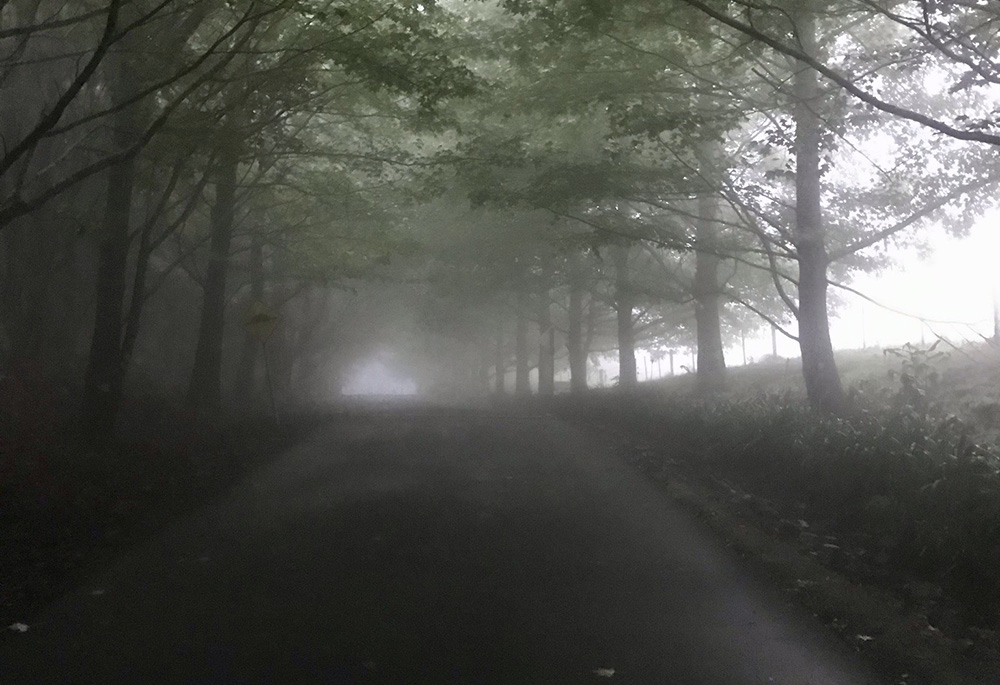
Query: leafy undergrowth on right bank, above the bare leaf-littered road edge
{"points": [[895, 477]]}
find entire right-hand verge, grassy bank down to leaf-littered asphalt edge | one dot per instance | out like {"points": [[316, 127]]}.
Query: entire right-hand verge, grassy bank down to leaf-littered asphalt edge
{"points": [[884, 522]]}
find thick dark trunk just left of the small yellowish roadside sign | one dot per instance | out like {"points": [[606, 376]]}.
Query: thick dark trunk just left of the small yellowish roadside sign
{"points": [[204, 392]]}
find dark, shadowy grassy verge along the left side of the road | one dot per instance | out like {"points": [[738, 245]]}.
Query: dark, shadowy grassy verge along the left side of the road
{"points": [[66, 510]]}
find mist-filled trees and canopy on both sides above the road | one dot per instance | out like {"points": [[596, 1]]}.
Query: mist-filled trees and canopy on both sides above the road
{"points": [[484, 195]]}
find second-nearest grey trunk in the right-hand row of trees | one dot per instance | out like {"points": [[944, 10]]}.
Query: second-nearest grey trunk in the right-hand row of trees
{"points": [[707, 305]]}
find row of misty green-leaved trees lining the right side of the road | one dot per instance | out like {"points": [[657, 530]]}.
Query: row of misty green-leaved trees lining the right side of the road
{"points": [[753, 156]]}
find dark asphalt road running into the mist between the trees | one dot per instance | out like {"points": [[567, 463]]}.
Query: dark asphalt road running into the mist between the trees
{"points": [[432, 547]]}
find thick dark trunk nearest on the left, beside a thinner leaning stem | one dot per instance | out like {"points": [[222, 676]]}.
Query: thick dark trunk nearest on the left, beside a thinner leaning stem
{"points": [[105, 374]]}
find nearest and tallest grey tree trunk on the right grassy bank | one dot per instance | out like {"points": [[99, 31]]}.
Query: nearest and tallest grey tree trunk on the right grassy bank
{"points": [[819, 367]]}
